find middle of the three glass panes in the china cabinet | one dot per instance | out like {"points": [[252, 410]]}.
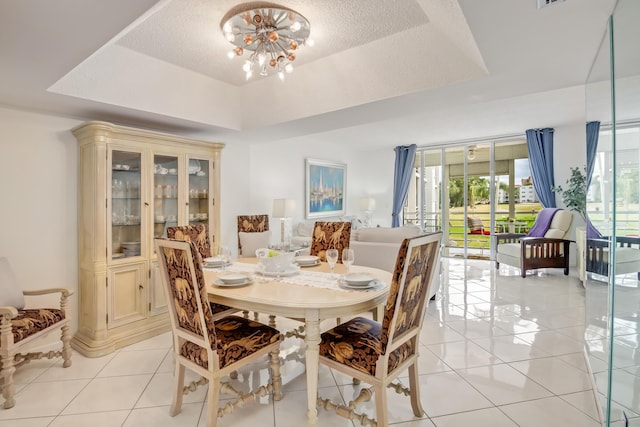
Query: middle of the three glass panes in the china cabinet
{"points": [[165, 194]]}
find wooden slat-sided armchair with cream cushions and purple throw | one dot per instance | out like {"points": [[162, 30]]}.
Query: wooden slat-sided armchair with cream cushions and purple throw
{"points": [[545, 246]]}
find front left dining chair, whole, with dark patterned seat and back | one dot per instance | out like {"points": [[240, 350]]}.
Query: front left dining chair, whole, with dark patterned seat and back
{"points": [[211, 348]]}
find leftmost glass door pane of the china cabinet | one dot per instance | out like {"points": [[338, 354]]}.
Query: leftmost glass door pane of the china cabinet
{"points": [[126, 232]]}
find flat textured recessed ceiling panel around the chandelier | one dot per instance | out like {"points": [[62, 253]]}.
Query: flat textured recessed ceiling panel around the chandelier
{"points": [[187, 33]]}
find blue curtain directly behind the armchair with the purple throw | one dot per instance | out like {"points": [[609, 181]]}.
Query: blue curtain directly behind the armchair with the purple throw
{"points": [[540, 147]]}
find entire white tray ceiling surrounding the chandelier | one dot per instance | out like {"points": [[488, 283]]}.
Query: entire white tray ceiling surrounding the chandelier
{"points": [[381, 72]]}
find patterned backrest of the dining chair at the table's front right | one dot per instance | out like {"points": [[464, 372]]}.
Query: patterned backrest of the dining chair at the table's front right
{"points": [[415, 269]]}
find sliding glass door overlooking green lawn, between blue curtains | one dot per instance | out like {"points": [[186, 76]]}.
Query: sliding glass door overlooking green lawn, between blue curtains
{"points": [[470, 192]]}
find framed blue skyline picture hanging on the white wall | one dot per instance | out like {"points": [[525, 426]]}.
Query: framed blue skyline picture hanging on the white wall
{"points": [[325, 188]]}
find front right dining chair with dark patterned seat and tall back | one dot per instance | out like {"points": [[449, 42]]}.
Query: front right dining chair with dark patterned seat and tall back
{"points": [[377, 353]]}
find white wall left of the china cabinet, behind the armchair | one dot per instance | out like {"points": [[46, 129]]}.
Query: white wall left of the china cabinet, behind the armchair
{"points": [[38, 192]]}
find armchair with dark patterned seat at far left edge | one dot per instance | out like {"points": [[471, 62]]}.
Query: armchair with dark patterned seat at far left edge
{"points": [[22, 327]]}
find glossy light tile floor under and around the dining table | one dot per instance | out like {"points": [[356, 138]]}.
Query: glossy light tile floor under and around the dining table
{"points": [[496, 350]]}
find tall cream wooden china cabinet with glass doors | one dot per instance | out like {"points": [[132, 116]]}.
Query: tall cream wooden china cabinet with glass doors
{"points": [[133, 184]]}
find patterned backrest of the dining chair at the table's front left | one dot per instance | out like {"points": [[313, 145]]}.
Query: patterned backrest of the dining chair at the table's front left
{"points": [[186, 294]]}
